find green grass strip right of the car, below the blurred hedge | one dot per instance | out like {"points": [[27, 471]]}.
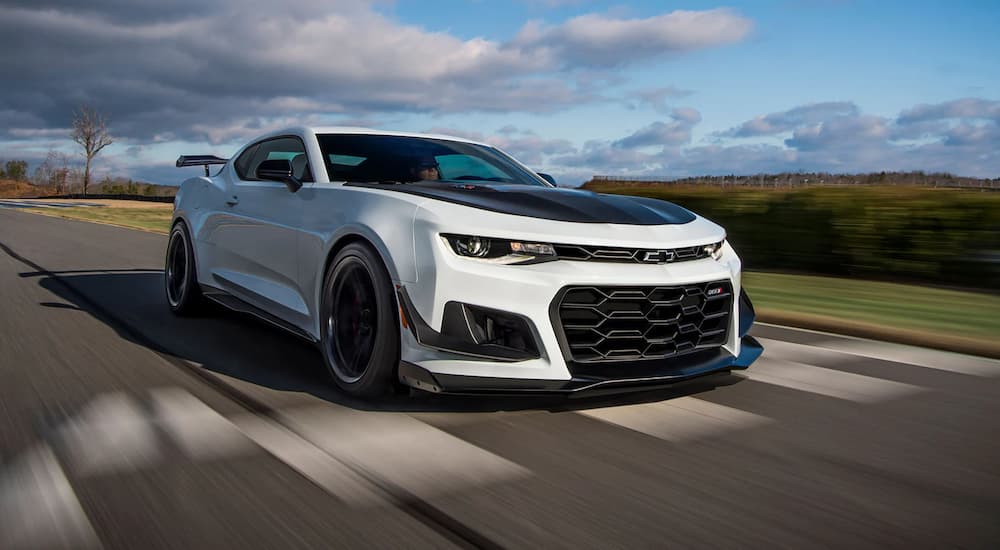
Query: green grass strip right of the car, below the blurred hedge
{"points": [[966, 314]]}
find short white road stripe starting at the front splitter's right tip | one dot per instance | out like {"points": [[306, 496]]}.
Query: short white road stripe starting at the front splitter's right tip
{"points": [[828, 382]]}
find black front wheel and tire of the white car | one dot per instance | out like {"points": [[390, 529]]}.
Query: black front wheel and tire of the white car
{"points": [[359, 324]]}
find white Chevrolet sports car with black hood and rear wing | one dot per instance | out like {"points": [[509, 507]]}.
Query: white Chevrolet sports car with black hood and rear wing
{"points": [[446, 265]]}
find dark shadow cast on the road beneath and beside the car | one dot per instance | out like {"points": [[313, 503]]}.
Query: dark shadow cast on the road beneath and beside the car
{"points": [[239, 346]]}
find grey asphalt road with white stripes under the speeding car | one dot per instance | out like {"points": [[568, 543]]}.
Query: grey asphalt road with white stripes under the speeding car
{"points": [[124, 427]]}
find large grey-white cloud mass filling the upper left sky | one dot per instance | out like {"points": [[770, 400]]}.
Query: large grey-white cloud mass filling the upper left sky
{"points": [[200, 71]]}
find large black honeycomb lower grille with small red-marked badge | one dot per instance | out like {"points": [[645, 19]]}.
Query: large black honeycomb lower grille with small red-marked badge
{"points": [[613, 323]]}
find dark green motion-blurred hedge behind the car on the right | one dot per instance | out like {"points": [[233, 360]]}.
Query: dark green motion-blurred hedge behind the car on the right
{"points": [[905, 233]]}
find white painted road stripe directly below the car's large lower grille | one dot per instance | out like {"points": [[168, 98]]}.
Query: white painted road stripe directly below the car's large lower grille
{"points": [[679, 419]]}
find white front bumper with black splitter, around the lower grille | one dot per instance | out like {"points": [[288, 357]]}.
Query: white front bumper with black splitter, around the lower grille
{"points": [[432, 361]]}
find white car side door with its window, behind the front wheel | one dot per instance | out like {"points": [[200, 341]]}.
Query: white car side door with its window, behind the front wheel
{"points": [[257, 241]]}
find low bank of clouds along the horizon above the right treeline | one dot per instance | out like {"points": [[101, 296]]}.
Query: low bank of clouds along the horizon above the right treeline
{"points": [[958, 137]]}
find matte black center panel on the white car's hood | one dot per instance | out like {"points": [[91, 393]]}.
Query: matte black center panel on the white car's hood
{"points": [[549, 203]]}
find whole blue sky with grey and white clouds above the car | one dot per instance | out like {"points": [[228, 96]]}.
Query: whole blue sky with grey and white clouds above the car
{"points": [[572, 87]]}
